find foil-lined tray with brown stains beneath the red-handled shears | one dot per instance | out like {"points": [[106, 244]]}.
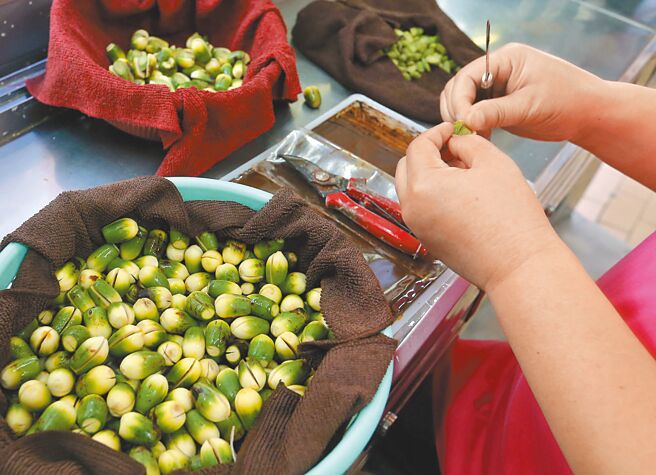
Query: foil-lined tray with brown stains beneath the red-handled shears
{"points": [[363, 140]]}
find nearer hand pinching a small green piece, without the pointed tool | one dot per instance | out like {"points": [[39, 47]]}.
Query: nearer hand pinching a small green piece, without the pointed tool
{"points": [[480, 217]]}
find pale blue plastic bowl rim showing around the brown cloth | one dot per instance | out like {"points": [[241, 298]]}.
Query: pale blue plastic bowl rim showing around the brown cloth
{"points": [[363, 425]]}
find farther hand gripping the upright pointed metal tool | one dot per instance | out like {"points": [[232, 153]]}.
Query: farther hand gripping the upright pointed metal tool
{"points": [[535, 95]]}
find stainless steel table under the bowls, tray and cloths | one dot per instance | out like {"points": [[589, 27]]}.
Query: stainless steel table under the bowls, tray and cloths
{"points": [[67, 150]]}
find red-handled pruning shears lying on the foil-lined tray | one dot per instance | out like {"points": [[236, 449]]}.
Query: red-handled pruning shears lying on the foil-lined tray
{"points": [[378, 215]]}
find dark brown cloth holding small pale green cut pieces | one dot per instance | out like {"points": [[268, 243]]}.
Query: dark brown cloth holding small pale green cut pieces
{"points": [[345, 37]]}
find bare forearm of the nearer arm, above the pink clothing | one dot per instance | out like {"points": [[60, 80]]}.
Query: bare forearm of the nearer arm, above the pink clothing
{"points": [[594, 381]]}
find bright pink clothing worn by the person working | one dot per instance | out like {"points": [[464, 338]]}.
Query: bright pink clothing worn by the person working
{"points": [[493, 425]]}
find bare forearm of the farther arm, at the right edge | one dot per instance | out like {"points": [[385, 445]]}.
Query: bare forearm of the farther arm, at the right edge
{"points": [[621, 130]]}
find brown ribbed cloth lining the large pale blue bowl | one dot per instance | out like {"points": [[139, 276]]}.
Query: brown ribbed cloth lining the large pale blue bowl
{"points": [[292, 432]]}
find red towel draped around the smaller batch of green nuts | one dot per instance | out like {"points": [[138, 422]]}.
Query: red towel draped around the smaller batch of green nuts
{"points": [[198, 128]]}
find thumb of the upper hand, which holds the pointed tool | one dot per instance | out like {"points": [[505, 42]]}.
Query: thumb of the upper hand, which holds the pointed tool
{"points": [[506, 111]]}
